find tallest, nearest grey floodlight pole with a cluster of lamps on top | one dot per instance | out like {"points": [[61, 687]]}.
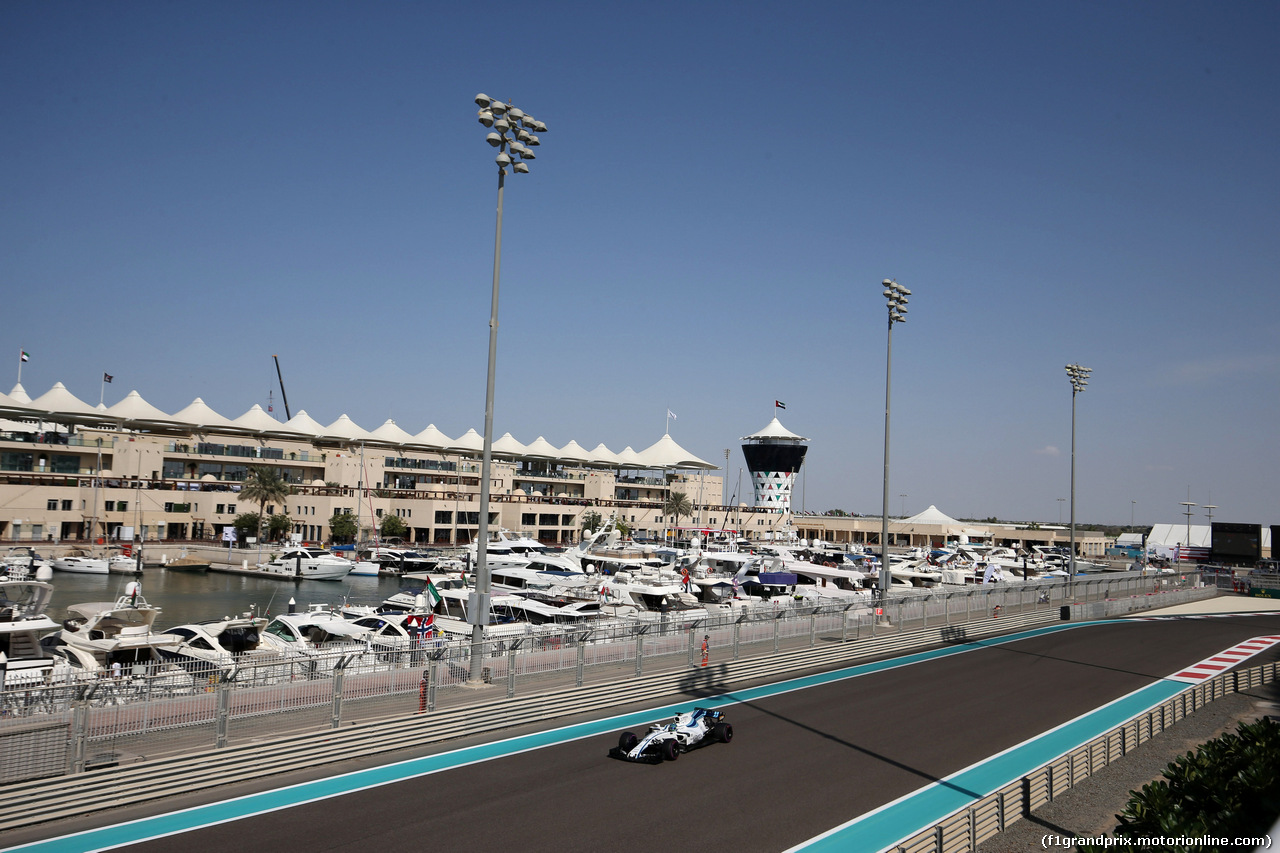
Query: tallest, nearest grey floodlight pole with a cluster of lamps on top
{"points": [[513, 135]]}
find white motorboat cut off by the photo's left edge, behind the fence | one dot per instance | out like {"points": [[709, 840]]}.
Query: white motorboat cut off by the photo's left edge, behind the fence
{"points": [[22, 622]]}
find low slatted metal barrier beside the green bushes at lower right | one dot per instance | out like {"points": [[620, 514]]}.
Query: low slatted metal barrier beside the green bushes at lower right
{"points": [[968, 828]]}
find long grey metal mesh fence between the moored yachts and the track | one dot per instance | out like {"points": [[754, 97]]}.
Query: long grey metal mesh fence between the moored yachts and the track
{"points": [[56, 729]]}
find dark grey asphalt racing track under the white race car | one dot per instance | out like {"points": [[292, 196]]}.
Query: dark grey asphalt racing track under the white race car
{"points": [[802, 763]]}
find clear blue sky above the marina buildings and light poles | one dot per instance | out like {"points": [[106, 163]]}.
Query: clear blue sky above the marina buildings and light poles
{"points": [[189, 189]]}
